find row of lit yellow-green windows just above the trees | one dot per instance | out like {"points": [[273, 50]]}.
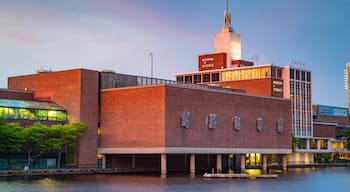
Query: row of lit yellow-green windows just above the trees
{"points": [[32, 114]]}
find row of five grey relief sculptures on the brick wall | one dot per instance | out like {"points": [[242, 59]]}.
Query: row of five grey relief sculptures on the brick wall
{"points": [[211, 122]]}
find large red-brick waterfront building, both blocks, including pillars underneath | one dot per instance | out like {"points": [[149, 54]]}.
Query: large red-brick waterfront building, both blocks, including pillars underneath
{"points": [[140, 122]]}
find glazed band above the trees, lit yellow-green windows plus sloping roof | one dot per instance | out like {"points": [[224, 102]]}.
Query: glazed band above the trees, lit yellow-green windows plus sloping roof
{"points": [[31, 110]]}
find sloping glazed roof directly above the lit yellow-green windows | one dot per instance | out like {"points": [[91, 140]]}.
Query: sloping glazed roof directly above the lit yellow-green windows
{"points": [[30, 104]]}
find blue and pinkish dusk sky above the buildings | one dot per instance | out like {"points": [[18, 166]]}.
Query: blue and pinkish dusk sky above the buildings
{"points": [[120, 34]]}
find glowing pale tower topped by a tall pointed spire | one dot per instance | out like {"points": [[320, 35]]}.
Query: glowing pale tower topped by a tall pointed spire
{"points": [[228, 41]]}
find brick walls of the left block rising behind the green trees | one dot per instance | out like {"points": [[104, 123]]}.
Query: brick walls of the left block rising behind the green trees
{"points": [[76, 91]]}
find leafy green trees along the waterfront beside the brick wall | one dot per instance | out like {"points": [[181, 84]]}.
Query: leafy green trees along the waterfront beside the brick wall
{"points": [[38, 139]]}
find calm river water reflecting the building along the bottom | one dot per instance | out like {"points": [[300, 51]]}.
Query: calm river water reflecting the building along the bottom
{"points": [[326, 179]]}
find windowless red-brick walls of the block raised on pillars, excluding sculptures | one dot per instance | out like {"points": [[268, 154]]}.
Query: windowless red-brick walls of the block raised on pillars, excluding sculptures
{"points": [[151, 117]]}
